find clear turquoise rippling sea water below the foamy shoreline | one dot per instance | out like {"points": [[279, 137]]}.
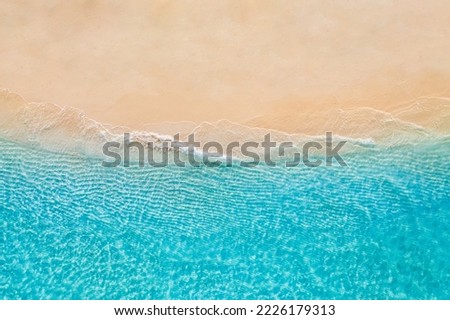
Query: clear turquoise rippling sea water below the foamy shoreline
{"points": [[377, 229]]}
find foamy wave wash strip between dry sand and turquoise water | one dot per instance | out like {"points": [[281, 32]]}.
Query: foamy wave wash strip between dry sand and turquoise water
{"points": [[64, 128]]}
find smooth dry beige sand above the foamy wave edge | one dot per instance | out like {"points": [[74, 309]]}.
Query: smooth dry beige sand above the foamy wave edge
{"points": [[285, 65]]}
